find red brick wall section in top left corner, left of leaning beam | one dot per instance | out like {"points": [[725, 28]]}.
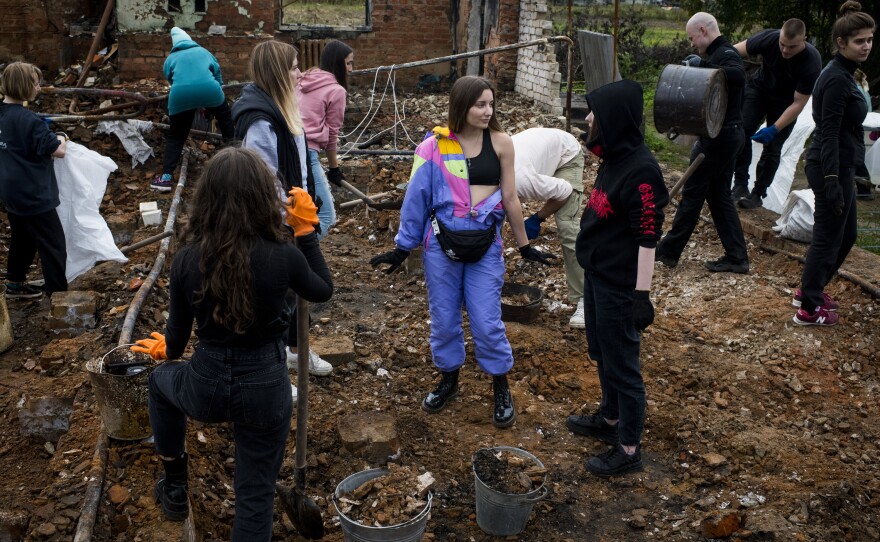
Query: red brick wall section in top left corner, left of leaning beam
{"points": [[37, 32]]}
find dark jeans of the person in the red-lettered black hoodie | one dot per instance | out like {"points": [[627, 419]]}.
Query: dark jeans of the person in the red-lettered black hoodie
{"points": [[613, 343]]}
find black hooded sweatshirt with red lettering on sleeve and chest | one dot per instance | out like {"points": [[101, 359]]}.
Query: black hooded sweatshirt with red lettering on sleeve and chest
{"points": [[625, 208]]}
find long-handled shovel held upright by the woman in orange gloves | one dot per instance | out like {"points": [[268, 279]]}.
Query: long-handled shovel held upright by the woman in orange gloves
{"points": [[303, 512]]}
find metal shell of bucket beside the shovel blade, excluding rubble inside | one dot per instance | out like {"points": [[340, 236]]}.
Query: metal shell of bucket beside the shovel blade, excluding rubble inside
{"points": [[410, 531]]}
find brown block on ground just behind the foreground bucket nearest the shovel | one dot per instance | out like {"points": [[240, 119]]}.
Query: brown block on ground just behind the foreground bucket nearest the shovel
{"points": [[372, 436]]}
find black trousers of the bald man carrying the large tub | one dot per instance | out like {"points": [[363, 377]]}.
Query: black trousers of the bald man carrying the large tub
{"points": [[711, 184]]}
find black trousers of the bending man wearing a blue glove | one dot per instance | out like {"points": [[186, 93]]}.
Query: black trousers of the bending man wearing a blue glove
{"points": [[757, 105]]}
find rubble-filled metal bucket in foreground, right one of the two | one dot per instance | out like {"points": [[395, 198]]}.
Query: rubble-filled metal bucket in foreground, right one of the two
{"points": [[509, 481]]}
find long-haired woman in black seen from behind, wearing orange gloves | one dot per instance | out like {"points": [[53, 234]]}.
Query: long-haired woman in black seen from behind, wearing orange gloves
{"points": [[230, 278]]}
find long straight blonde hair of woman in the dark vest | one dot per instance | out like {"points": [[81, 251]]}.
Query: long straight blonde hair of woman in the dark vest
{"points": [[271, 62]]}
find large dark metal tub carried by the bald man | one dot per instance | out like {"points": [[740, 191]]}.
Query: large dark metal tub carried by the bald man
{"points": [[690, 101]]}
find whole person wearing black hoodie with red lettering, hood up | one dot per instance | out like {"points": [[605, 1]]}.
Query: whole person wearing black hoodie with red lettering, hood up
{"points": [[620, 228]]}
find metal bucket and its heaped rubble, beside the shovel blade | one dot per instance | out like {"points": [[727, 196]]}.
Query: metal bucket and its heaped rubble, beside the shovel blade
{"points": [[384, 505]]}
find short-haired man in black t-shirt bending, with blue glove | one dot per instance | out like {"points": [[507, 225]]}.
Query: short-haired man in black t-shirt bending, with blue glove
{"points": [[779, 92]]}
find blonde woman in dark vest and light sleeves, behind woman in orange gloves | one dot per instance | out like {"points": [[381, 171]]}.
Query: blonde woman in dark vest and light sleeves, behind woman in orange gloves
{"points": [[267, 120]]}
